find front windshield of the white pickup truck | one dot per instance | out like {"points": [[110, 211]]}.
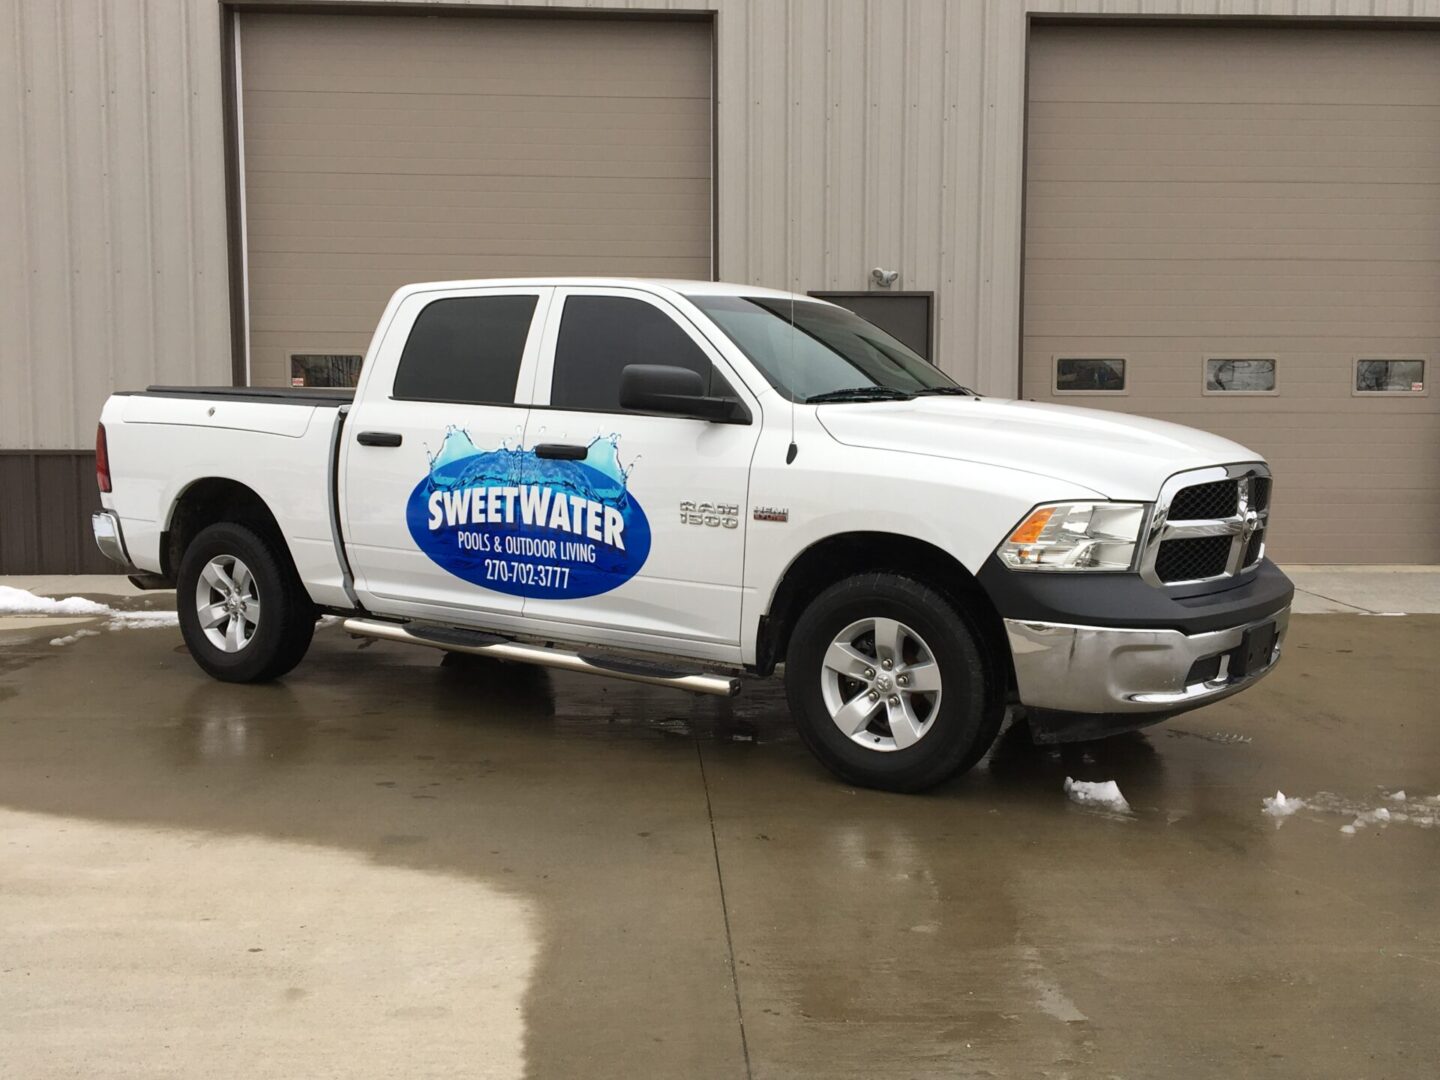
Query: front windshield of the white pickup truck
{"points": [[827, 354]]}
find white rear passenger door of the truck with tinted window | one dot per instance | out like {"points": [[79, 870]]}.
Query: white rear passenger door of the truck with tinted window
{"points": [[433, 463]]}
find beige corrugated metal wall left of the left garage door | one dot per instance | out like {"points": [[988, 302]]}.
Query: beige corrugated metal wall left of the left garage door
{"points": [[112, 210]]}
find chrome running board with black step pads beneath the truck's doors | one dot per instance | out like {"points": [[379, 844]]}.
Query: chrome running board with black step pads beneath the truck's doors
{"points": [[480, 644]]}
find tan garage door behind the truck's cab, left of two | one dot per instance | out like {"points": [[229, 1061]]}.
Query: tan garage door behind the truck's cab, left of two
{"points": [[382, 150]]}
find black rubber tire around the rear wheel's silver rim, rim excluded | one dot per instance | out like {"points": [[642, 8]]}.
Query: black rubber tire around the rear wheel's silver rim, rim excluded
{"points": [[287, 618]]}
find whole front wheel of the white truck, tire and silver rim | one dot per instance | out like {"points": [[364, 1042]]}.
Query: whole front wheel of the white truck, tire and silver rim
{"points": [[889, 685]]}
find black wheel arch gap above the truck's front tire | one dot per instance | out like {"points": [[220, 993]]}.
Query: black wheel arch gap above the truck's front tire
{"points": [[846, 555]]}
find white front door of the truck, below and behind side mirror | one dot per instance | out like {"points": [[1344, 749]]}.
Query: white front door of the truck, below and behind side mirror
{"points": [[666, 555]]}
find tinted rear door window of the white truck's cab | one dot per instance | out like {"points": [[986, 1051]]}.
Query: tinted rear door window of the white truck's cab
{"points": [[466, 349]]}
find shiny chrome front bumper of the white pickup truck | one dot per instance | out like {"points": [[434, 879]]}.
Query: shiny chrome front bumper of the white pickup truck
{"points": [[1137, 675]]}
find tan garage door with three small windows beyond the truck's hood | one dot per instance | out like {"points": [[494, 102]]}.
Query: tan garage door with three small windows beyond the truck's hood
{"points": [[1239, 230]]}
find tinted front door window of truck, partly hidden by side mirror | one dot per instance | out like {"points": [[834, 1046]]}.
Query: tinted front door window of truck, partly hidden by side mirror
{"points": [[600, 336]]}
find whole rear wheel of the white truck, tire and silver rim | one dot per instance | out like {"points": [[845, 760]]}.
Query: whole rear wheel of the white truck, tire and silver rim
{"points": [[243, 611]]}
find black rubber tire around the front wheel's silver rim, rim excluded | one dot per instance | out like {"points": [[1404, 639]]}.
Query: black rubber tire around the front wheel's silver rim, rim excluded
{"points": [[960, 725]]}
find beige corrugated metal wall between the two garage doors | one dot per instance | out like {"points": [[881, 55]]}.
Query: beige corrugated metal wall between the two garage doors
{"points": [[855, 136]]}
